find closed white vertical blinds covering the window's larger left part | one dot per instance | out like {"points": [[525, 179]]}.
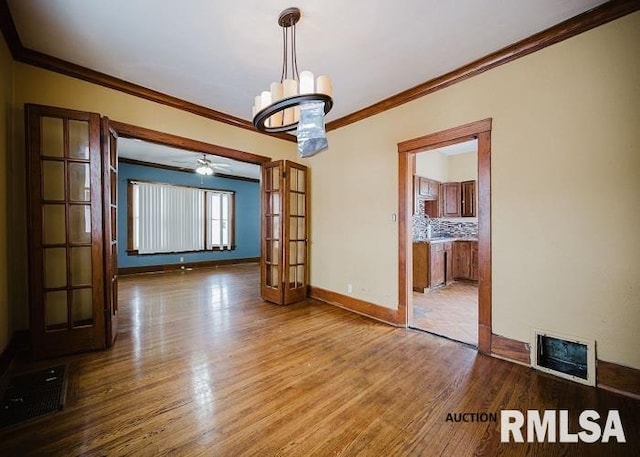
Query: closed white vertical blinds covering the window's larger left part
{"points": [[169, 218]]}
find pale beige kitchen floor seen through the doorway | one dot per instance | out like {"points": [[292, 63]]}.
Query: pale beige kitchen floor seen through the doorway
{"points": [[450, 311]]}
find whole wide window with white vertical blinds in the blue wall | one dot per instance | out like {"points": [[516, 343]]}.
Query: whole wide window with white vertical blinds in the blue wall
{"points": [[169, 218]]}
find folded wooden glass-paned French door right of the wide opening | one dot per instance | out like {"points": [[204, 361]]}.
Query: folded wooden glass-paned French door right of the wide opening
{"points": [[284, 266]]}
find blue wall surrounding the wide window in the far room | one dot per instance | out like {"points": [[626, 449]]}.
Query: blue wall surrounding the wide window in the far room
{"points": [[247, 214]]}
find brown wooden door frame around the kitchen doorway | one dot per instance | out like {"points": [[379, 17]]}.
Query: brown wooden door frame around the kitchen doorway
{"points": [[480, 130]]}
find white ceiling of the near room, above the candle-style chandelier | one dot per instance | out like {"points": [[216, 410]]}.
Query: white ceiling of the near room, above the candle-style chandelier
{"points": [[220, 54]]}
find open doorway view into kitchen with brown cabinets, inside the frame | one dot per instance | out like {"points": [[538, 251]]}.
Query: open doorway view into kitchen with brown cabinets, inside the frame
{"points": [[445, 242]]}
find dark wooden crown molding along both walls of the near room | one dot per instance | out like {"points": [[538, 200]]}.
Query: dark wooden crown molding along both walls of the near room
{"points": [[588, 20]]}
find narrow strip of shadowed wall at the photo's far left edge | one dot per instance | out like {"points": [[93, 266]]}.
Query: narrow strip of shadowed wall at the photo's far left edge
{"points": [[6, 103]]}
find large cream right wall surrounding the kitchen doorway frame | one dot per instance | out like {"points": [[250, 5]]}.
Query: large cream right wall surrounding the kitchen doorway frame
{"points": [[565, 191]]}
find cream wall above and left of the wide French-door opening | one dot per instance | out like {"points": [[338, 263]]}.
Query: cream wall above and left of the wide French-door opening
{"points": [[34, 85]]}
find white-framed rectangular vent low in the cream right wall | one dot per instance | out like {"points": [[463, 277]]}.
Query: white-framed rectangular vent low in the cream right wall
{"points": [[565, 357]]}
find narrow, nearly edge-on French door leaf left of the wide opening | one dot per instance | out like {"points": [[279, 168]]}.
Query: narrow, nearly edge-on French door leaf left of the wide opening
{"points": [[110, 196]]}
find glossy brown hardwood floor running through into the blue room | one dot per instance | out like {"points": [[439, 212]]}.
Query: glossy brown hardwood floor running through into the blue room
{"points": [[203, 367]]}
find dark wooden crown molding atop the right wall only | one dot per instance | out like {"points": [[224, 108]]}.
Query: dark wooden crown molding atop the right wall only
{"points": [[588, 20]]}
